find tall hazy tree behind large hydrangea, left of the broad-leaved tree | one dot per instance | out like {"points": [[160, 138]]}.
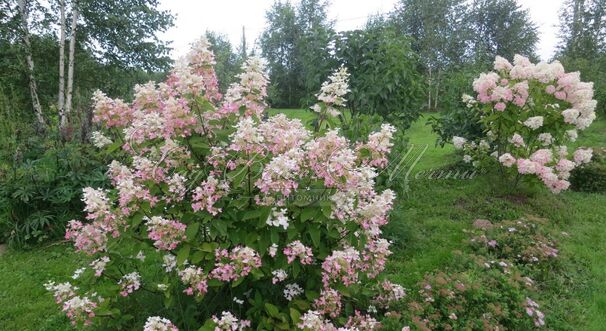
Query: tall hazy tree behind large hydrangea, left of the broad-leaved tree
{"points": [[296, 46]]}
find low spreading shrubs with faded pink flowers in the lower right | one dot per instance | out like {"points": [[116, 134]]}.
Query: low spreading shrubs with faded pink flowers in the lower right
{"points": [[489, 288]]}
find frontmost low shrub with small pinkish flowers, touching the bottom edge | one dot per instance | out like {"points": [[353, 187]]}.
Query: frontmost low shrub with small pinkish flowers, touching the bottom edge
{"points": [[474, 299]]}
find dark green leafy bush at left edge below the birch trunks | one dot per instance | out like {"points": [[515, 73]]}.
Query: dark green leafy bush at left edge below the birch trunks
{"points": [[41, 192]]}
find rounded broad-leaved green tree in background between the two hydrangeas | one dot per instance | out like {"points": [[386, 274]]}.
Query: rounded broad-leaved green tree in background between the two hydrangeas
{"points": [[385, 77]]}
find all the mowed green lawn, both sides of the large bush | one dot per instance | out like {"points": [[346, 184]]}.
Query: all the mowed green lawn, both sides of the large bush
{"points": [[426, 226]]}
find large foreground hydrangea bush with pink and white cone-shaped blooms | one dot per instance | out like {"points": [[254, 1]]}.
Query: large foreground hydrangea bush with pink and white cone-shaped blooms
{"points": [[245, 221]]}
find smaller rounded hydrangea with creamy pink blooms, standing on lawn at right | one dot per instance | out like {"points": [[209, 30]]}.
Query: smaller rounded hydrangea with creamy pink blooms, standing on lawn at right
{"points": [[530, 112]]}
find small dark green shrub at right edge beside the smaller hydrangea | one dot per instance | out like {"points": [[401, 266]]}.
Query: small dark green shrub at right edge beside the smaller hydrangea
{"points": [[591, 177]]}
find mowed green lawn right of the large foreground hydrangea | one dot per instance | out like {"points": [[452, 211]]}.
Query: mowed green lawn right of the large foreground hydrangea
{"points": [[428, 222]]}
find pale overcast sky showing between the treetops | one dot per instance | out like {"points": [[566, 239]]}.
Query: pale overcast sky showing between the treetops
{"points": [[193, 17]]}
